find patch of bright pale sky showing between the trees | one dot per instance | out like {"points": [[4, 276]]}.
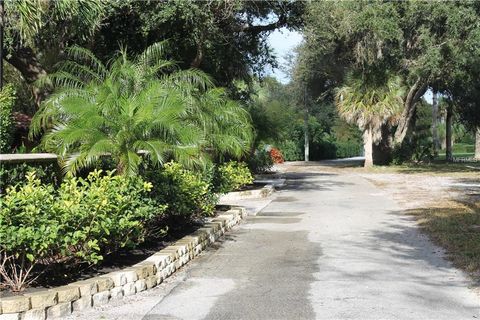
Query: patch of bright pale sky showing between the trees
{"points": [[283, 42]]}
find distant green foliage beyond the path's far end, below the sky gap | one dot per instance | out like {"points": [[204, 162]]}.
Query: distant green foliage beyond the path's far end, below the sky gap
{"points": [[280, 118]]}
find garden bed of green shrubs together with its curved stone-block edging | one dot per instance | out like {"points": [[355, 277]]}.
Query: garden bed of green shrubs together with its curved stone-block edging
{"points": [[87, 241]]}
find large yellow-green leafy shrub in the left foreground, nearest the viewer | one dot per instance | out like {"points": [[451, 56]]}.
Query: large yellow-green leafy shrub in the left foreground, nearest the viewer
{"points": [[81, 222]]}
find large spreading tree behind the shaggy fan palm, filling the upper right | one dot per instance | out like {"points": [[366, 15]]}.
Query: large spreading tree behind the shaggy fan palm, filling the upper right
{"points": [[425, 45]]}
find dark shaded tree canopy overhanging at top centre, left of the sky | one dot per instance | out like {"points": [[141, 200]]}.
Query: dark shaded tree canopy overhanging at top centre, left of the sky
{"points": [[225, 38]]}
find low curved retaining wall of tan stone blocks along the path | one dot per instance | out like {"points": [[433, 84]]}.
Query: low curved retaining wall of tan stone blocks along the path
{"points": [[77, 296]]}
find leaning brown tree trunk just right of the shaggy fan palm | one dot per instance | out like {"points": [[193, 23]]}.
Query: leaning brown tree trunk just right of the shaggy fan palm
{"points": [[409, 104]]}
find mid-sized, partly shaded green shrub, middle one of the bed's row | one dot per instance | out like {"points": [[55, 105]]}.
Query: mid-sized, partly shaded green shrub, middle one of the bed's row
{"points": [[188, 194]]}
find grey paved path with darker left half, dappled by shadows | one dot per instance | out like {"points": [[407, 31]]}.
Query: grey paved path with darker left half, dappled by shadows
{"points": [[327, 247]]}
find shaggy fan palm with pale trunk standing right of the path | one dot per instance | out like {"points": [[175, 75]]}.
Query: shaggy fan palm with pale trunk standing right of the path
{"points": [[370, 103]]}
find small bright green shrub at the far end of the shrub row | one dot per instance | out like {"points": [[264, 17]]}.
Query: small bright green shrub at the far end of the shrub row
{"points": [[232, 176]]}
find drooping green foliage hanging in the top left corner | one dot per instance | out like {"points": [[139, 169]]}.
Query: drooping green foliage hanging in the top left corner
{"points": [[37, 32]]}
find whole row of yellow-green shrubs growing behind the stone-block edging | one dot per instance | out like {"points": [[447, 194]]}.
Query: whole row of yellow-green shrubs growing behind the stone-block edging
{"points": [[83, 219]]}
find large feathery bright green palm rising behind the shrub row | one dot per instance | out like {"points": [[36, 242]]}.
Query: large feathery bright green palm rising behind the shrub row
{"points": [[127, 107]]}
